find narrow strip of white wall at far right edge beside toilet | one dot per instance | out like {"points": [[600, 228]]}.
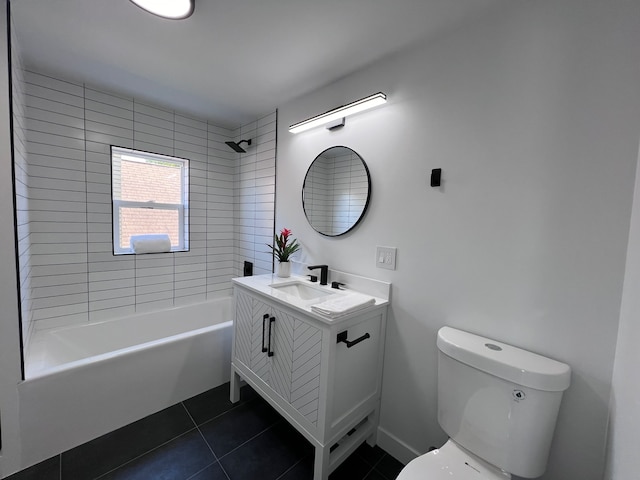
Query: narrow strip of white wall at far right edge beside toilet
{"points": [[623, 460]]}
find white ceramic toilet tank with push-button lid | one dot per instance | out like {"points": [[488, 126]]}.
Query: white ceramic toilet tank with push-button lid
{"points": [[498, 401]]}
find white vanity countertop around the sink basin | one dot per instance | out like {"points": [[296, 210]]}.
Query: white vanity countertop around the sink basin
{"points": [[263, 284]]}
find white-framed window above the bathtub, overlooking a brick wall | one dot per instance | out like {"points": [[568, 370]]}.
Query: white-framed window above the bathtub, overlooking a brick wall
{"points": [[150, 195]]}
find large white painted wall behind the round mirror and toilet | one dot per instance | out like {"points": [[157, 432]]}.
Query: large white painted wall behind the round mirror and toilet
{"points": [[533, 113]]}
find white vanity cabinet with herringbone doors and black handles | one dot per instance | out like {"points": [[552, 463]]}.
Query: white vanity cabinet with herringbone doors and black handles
{"points": [[292, 357]]}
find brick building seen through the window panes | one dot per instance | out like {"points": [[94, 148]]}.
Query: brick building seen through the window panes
{"points": [[160, 183]]}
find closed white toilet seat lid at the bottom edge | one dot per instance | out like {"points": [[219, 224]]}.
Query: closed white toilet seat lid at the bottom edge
{"points": [[450, 462]]}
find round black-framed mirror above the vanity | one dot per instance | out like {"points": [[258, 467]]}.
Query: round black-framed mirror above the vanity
{"points": [[336, 191]]}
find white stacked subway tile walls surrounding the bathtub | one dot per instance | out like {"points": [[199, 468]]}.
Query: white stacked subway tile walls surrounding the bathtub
{"points": [[66, 205]]}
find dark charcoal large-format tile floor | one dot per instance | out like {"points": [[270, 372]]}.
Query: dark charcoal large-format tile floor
{"points": [[207, 438]]}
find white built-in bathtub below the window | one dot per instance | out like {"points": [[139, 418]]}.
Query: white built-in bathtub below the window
{"points": [[87, 380]]}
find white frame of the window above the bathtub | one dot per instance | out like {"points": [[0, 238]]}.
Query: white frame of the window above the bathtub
{"points": [[181, 208]]}
